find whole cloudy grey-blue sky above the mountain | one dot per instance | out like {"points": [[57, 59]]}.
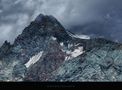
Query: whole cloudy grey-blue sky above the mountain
{"points": [[15, 15]]}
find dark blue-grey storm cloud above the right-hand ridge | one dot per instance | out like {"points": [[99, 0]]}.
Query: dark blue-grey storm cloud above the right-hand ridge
{"points": [[110, 24]]}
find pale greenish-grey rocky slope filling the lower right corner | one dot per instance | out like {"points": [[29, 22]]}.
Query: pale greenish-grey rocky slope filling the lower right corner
{"points": [[99, 64]]}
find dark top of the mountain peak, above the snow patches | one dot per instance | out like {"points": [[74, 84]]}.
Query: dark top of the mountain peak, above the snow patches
{"points": [[44, 26]]}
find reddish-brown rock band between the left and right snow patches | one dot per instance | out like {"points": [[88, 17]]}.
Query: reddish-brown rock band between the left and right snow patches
{"points": [[51, 59]]}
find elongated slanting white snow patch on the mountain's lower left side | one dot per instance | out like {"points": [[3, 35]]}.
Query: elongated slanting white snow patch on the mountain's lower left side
{"points": [[34, 59]]}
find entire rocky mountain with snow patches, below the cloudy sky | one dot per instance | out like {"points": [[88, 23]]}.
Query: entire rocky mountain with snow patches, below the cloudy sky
{"points": [[46, 51]]}
